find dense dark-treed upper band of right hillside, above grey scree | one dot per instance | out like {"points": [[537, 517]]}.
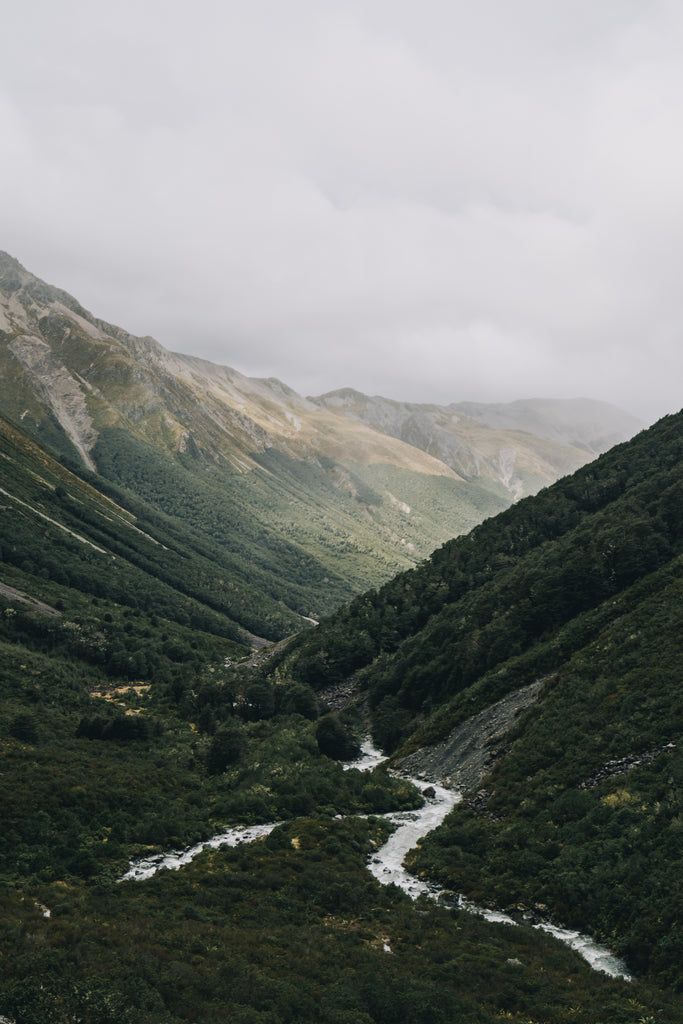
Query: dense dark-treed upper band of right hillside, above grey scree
{"points": [[511, 589]]}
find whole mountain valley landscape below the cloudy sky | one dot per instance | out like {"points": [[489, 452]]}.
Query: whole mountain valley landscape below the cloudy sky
{"points": [[505, 625]]}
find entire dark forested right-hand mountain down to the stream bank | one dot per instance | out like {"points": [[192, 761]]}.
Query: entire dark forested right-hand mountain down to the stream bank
{"points": [[571, 602]]}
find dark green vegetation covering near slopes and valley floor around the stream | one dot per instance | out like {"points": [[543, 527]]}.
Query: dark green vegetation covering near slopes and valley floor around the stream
{"points": [[135, 718]]}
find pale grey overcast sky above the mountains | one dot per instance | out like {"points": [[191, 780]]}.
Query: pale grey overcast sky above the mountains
{"points": [[436, 201]]}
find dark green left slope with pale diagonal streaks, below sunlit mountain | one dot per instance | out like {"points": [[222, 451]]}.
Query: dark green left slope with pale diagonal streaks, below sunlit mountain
{"points": [[60, 531]]}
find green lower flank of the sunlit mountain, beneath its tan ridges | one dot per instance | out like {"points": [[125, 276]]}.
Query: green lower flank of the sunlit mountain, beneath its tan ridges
{"points": [[311, 554]]}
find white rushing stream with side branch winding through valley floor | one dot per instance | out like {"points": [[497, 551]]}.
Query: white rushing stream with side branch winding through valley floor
{"points": [[387, 864]]}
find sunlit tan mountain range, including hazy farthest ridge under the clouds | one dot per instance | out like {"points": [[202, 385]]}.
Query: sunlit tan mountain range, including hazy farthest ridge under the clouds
{"points": [[378, 483]]}
